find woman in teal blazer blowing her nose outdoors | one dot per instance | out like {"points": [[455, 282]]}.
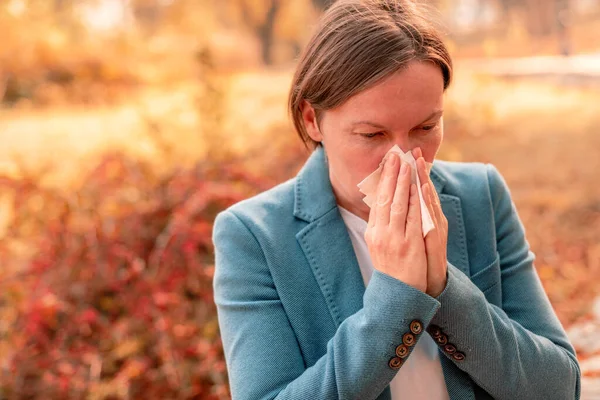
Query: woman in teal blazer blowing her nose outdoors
{"points": [[321, 297]]}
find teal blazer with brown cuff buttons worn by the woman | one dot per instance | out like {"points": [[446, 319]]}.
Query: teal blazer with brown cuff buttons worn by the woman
{"points": [[297, 322]]}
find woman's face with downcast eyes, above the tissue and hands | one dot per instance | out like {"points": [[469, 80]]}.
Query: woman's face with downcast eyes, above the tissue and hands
{"points": [[404, 109]]}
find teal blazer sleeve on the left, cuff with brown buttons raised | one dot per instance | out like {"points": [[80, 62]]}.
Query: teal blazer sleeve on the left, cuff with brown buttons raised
{"points": [[264, 360]]}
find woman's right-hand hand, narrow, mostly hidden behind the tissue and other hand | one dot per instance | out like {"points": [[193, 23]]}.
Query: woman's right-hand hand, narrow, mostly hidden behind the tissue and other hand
{"points": [[437, 239]]}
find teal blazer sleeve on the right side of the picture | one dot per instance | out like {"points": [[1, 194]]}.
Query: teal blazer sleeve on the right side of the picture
{"points": [[519, 351]]}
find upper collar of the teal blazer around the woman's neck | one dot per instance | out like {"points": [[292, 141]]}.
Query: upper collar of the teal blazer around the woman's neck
{"points": [[313, 195]]}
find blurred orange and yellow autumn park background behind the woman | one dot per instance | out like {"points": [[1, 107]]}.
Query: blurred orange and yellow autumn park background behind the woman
{"points": [[126, 125]]}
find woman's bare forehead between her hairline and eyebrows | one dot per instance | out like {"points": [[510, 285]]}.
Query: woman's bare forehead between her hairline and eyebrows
{"points": [[406, 97]]}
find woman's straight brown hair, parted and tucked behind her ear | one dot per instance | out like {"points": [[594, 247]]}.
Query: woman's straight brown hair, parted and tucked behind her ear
{"points": [[357, 44]]}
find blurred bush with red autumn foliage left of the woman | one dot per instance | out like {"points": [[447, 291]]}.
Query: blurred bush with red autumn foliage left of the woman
{"points": [[113, 295]]}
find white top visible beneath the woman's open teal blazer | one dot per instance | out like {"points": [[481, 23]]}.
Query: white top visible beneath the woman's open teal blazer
{"points": [[421, 375]]}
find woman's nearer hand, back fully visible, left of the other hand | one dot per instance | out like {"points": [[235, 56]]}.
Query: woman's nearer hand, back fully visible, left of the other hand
{"points": [[394, 235]]}
